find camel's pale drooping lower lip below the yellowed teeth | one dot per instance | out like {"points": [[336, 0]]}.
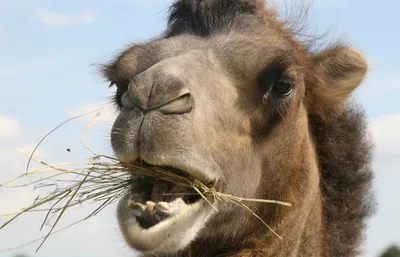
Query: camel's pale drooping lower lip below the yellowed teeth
{"points": [[173, 232]]}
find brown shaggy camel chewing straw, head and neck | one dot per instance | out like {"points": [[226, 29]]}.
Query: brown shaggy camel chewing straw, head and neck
{"points": [[232, 96]]}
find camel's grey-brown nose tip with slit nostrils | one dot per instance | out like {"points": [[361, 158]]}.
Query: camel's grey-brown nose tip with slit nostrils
{"points": [[160, 89]]}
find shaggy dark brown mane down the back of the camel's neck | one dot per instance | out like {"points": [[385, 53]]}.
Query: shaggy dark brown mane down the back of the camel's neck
{"points": [[344, 153]]}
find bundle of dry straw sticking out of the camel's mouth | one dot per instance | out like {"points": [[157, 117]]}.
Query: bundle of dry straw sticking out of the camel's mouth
{"points": [[103, 180]]}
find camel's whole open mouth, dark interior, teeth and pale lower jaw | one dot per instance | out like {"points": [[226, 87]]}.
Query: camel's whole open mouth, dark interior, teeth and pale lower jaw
{"points": [[158, 216]]}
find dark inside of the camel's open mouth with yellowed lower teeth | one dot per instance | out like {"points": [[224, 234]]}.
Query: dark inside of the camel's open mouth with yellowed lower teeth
{"points": [[154, 200]]}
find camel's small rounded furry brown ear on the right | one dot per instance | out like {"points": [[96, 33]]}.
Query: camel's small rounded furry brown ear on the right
{"points": [[337, 72]]}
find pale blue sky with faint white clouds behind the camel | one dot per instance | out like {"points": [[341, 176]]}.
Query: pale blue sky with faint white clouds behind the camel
{"points": [[50, 53]]}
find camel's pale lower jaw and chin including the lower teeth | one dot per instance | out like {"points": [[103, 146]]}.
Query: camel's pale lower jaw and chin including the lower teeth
{"points": [[153, 229]]}
